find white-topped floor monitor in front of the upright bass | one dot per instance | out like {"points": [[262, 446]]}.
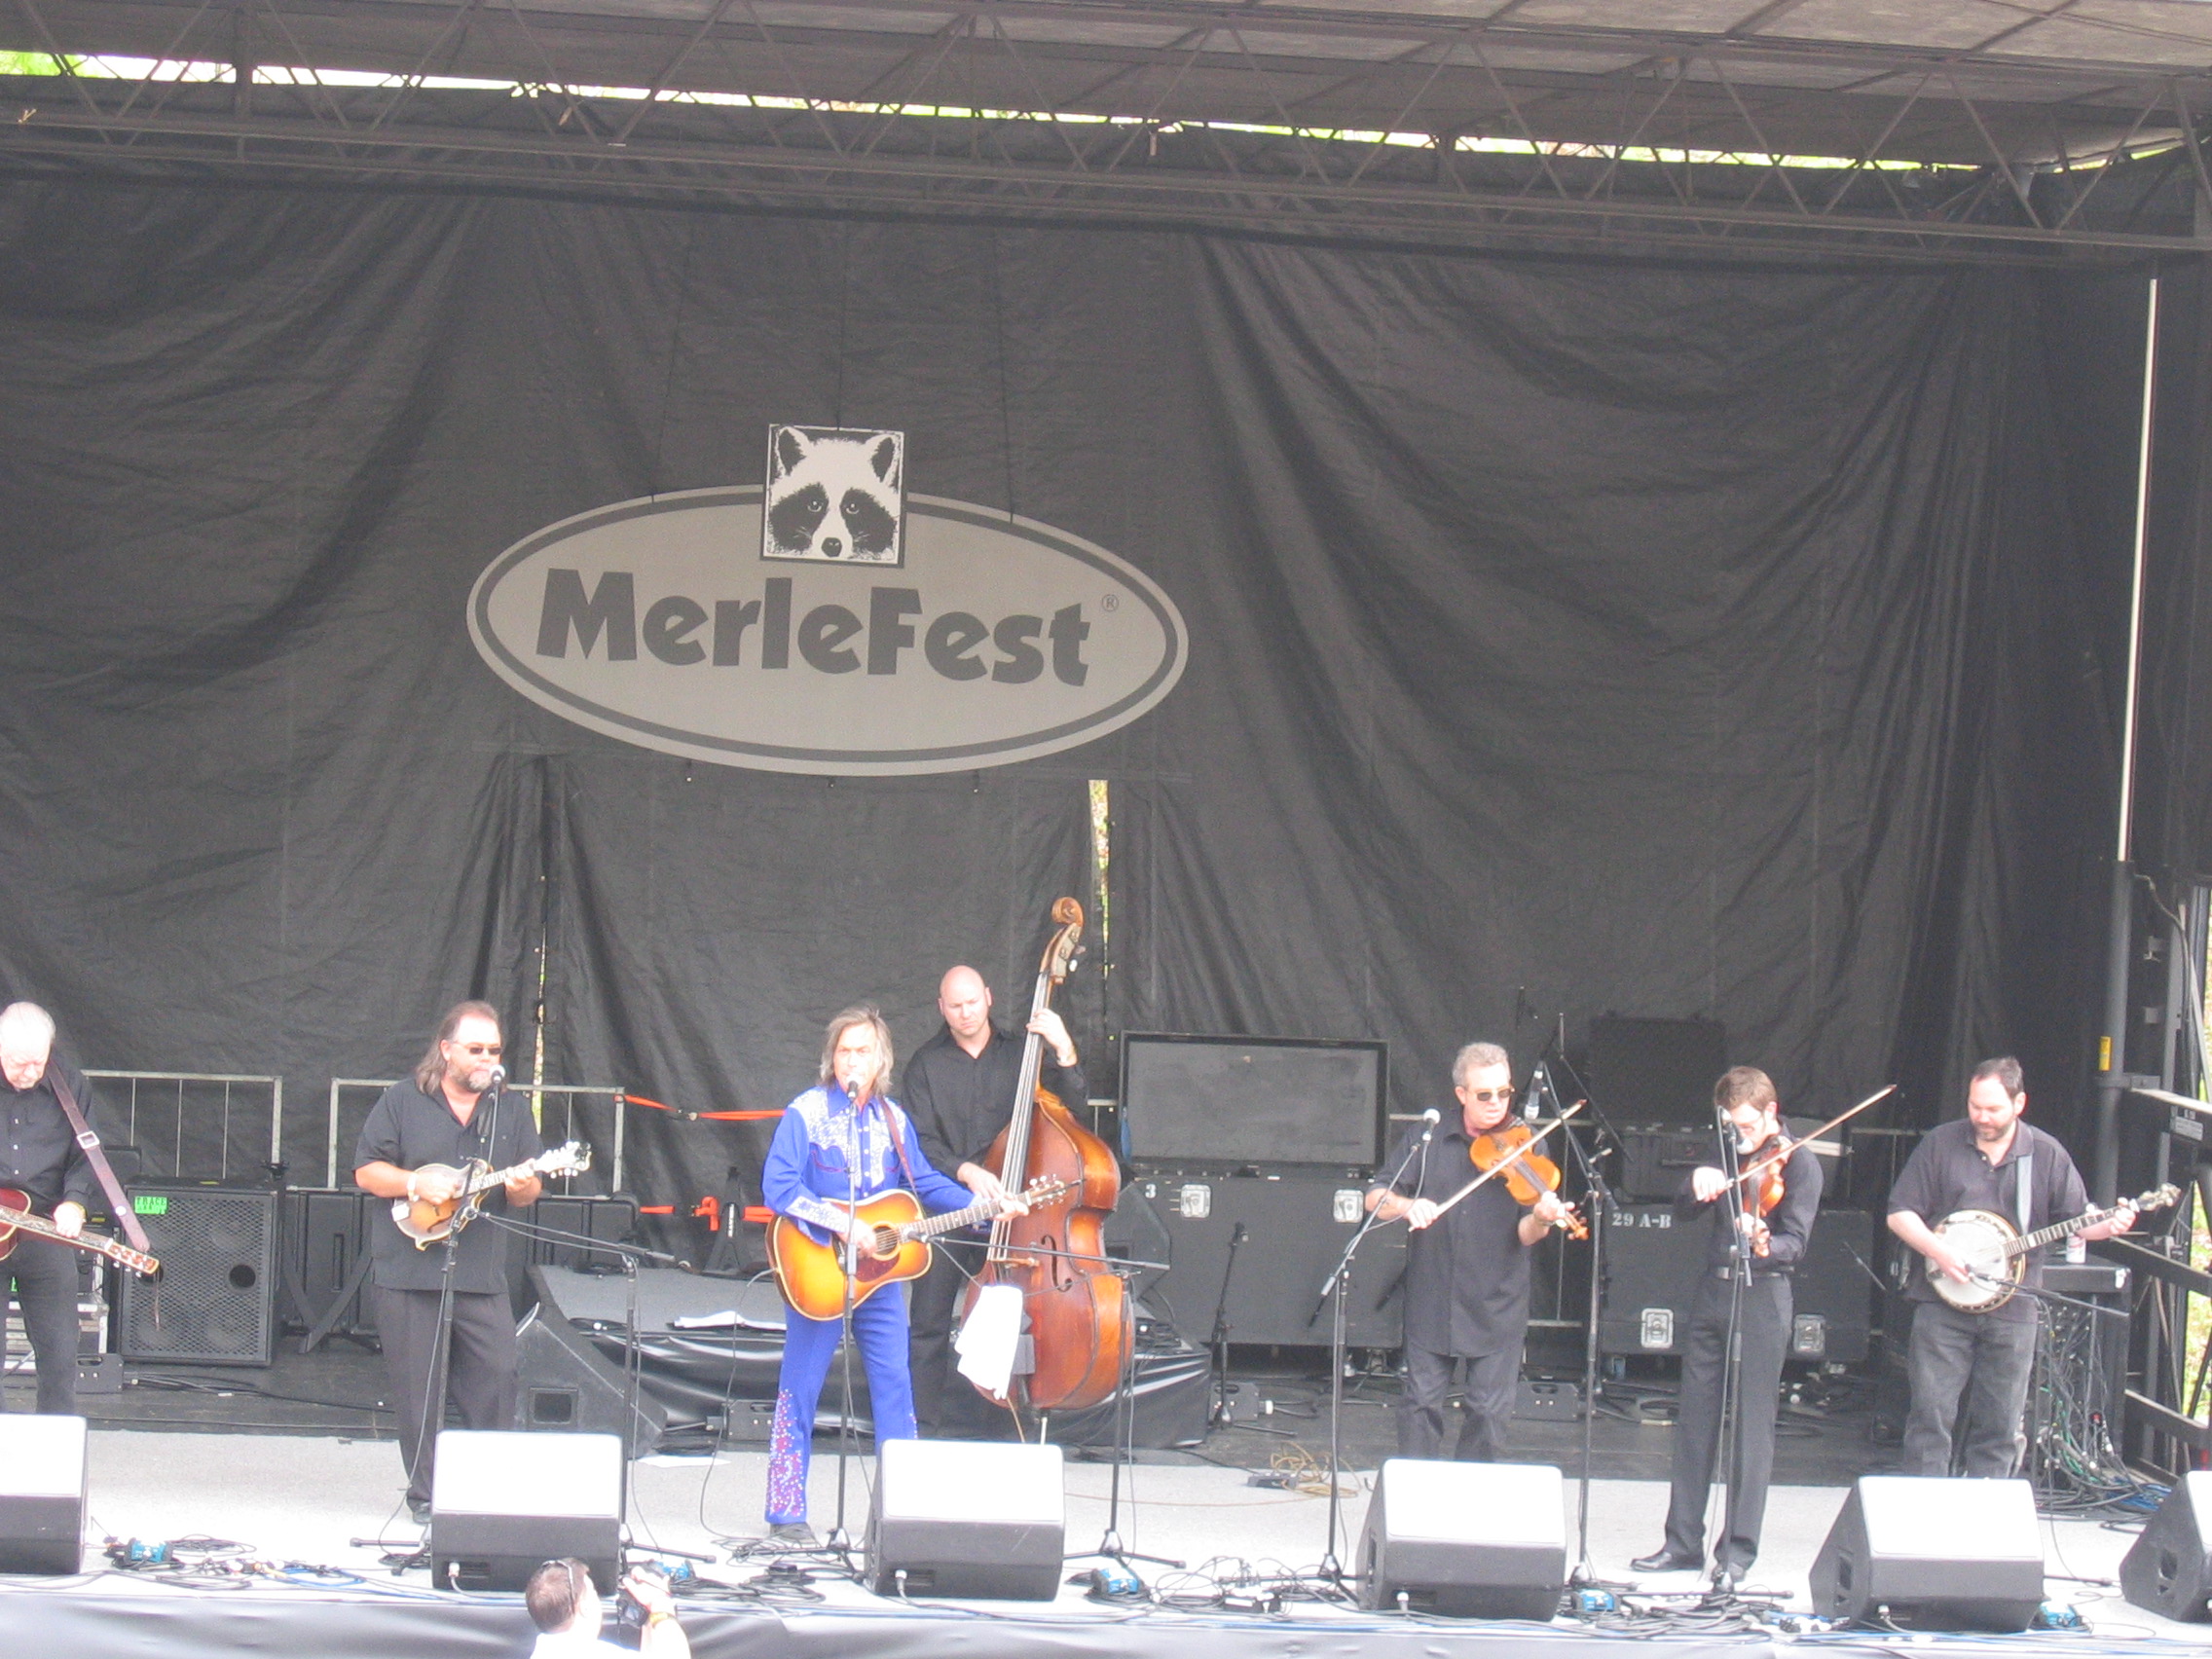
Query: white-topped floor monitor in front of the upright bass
{"points": [[961, 1519]]}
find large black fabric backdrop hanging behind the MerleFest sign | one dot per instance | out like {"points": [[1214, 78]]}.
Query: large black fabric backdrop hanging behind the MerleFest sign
{"points": [[1658, 638]]}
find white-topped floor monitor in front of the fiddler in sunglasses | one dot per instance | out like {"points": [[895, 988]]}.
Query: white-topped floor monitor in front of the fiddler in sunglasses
{"points": [[1481, 1541]]}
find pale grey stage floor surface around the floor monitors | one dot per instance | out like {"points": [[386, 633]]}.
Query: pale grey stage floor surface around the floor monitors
{"points": [[306, 1499]]}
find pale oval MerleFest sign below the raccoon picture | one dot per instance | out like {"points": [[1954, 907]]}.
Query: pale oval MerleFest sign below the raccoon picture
{"points": [[997, 640]]}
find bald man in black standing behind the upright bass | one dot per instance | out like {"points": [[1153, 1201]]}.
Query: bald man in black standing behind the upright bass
{"points": [[961, 1089]]}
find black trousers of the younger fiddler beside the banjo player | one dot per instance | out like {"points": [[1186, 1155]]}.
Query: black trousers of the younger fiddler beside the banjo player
{"points": [[1764, 1339]]}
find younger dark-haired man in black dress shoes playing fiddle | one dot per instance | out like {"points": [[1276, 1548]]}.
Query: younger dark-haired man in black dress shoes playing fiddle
{"points": [[1773, 1244]]}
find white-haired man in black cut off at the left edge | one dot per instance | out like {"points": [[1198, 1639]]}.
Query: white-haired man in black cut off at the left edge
{"points": [[43, 1158]]}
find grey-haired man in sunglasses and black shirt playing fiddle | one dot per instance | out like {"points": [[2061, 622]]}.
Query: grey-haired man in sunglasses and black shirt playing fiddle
{"points": [[1468, 1269]]}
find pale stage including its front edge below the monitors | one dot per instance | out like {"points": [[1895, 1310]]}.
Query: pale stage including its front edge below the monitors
{"points": [[302, 1501]]}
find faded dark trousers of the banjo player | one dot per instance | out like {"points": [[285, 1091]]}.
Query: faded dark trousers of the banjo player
{"points": [[1972, 1359]]}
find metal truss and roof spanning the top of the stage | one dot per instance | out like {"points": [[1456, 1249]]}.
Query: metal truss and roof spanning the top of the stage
{"points": [[1423, 129]]}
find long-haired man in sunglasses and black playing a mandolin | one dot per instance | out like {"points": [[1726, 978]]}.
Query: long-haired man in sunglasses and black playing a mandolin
{"points": [[415, 1145]]}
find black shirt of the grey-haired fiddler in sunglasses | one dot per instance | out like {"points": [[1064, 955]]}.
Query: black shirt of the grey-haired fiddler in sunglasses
{"points": [[1468, 1273]]}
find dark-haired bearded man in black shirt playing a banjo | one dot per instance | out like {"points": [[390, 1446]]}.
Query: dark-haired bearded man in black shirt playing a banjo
{"points": [[1999, 1165]]}
